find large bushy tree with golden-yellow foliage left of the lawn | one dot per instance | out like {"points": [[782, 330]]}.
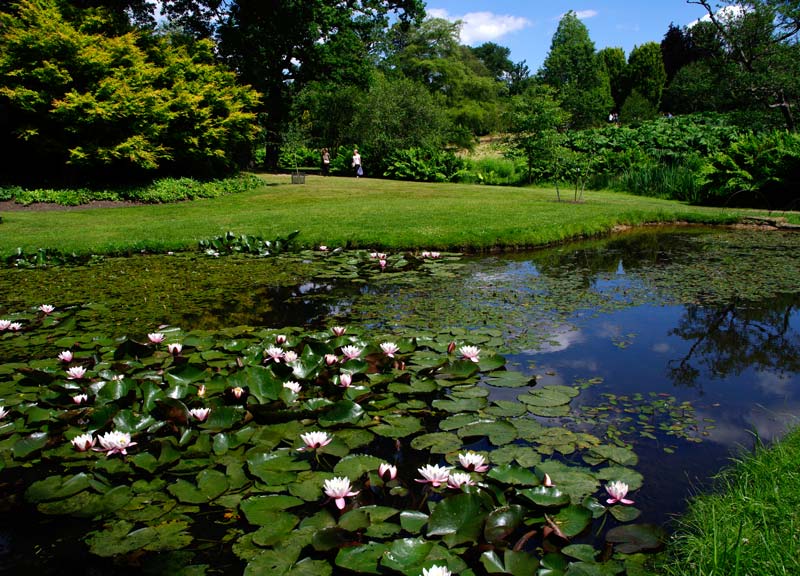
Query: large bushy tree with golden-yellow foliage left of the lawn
{"points": [[85, 105]]}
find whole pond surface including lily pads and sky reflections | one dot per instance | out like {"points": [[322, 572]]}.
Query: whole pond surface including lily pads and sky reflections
{"points": [[651, 356]]}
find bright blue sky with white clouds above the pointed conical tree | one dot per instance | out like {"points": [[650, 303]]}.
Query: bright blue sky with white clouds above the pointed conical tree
{"points": [[527, 26]]}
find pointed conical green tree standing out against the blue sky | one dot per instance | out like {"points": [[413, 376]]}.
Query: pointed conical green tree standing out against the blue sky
{"points": [[573, 69]]}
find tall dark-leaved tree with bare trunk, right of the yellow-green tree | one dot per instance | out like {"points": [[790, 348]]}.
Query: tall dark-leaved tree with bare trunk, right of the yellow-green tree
{"points": [[280, 46]]}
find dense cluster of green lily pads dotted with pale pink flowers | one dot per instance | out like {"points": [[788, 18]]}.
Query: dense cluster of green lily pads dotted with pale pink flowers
{"points": [[309, 452]]}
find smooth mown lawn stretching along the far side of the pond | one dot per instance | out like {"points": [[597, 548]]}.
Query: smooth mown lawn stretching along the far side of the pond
{"points": [[349, 212]]}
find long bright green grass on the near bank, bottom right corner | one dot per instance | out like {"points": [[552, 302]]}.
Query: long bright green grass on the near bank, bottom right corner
{"points": [[750, 525]]}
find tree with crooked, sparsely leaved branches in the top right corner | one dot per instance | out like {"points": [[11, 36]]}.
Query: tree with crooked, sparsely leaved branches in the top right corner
{"points": [[760, 58]]}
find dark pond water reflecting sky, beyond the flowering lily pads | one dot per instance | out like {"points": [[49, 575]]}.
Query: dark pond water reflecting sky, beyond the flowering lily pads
{"points": [[684, 343]]}
